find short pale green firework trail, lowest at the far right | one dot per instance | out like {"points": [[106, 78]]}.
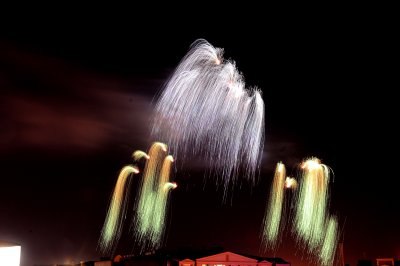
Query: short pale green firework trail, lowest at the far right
{"points": [[329, 245]]}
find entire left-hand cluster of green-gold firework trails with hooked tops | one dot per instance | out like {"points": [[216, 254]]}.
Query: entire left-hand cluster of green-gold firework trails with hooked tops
{"points": [[150, 205]]}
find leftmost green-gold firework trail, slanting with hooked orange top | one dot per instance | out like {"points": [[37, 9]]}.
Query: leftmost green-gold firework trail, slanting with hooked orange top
{"points": [[111, 231]]}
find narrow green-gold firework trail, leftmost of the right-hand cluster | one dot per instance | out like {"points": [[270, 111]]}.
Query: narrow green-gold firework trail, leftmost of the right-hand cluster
{"points": [[272, 218]]}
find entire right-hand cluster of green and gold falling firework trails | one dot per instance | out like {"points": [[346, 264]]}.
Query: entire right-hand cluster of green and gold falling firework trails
{"points": [[316, 233]]}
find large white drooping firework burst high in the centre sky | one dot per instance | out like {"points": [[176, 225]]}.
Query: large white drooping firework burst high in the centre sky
{"points": [[205, 110]]}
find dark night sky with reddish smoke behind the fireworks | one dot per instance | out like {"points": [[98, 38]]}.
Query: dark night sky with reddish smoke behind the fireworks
{"points": [[76, 98]]}
